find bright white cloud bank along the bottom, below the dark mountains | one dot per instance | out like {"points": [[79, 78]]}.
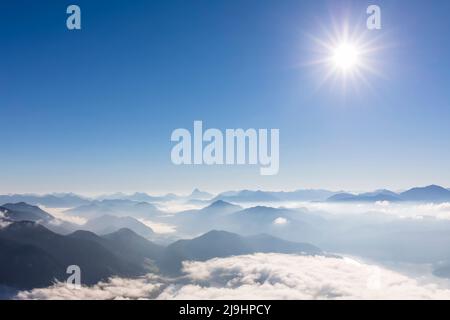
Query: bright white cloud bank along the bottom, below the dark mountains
{"points": [[261, 276]]}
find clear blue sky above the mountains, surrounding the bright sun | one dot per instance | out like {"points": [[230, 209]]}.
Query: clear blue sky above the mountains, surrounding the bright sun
{"points": [[92, 111]]}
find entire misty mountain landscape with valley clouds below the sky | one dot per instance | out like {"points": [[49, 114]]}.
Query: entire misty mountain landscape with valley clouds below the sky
{"points": [[305, 244]]}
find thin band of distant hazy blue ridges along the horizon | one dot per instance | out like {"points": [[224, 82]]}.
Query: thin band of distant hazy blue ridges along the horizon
{"points": [[65, 200]]}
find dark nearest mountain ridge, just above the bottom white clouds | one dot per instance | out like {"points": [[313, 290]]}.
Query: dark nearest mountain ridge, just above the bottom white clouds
{"points": [[32, 256]]}
